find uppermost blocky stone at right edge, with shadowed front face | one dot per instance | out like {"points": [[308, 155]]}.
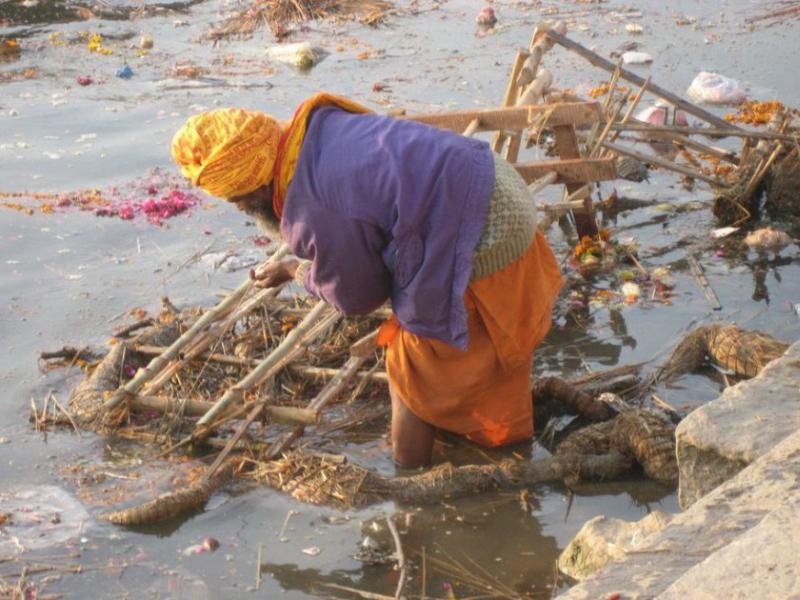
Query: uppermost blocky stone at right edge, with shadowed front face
{"points": [[721, 438]]}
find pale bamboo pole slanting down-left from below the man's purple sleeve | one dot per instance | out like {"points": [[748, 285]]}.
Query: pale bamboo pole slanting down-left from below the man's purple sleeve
{"points": [[267, 368]]}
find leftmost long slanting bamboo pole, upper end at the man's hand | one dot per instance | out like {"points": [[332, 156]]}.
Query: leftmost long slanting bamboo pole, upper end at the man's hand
{"points": [[158, 363]]}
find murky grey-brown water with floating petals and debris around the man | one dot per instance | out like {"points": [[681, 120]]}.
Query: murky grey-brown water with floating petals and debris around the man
{"points": [[67, 277]]}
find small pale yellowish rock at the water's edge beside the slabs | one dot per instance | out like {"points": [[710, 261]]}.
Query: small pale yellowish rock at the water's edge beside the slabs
{"points": [[604, 539]]}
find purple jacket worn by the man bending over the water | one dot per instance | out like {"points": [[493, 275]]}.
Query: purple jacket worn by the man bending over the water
{"points": [[387, 208]]}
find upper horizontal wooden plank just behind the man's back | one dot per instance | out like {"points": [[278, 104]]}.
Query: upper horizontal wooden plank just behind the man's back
{"points": [[513, 117]]}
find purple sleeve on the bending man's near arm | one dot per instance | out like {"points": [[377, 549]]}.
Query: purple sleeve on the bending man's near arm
{"points": [[347, 270]]}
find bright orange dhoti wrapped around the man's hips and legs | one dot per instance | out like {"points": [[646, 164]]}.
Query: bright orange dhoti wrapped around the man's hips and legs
{"points": [[485, 392]]}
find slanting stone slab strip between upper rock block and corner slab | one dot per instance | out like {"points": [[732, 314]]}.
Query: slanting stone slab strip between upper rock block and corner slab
{"points": [[716, 520]]}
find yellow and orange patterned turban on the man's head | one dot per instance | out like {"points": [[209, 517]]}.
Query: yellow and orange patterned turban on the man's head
{"points": [[227, 152]]}
